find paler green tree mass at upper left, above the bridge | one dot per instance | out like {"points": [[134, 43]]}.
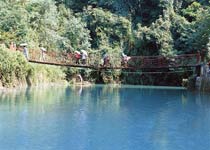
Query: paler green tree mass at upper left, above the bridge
{"points": [[41, 22]]}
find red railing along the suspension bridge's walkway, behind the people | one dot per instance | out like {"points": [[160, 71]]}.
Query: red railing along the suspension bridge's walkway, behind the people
{"points": [[96, 61]]}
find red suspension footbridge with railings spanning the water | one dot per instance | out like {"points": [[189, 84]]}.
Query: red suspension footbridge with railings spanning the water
{"points": [[153, 64]]}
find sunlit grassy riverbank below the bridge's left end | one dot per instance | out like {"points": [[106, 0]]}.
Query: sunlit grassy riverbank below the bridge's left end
{"points": [[16, 71]]}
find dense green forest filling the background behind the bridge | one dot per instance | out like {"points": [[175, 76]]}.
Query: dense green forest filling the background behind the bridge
{"points": [[135, 27]]}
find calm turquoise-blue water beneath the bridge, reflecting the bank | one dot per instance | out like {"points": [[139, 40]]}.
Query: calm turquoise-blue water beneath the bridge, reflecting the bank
{"points": [[104, 118]]}
